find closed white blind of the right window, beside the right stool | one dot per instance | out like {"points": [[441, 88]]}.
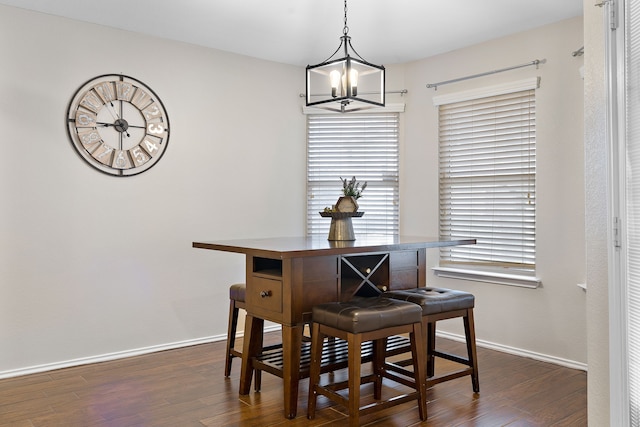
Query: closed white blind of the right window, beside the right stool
{"points": [[487, 166]]}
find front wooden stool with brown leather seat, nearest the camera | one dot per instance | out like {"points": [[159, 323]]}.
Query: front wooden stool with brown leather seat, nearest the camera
{"points": [[358, 321]]}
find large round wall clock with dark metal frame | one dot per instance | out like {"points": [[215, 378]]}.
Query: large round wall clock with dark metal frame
{"points": [[118, 125]]}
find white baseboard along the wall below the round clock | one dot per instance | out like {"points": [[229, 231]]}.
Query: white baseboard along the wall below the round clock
{"points": [[119, 355]]}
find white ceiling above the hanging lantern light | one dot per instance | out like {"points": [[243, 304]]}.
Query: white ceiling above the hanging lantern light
{"points": [[303, 32]]}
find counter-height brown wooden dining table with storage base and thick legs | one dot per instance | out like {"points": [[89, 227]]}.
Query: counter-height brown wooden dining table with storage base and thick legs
{"points": [[287, 276]]}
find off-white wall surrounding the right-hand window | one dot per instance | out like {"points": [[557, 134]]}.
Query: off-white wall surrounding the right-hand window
{"points": [[548, 321]]}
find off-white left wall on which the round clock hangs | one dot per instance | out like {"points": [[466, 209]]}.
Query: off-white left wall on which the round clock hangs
{"points": [[91, 264]]}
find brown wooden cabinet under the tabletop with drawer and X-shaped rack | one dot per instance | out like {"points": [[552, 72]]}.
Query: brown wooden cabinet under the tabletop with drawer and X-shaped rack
{"points": [[285, 290]]}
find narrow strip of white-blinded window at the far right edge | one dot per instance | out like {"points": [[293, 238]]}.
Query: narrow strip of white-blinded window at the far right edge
{"points": [[625, 380]]}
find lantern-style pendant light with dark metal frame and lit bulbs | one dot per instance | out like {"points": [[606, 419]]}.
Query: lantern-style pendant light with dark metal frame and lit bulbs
{"points": [[346, 84]]}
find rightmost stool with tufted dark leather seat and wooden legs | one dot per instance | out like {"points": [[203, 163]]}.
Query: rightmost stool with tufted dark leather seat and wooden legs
{"points": [[439, 304]]}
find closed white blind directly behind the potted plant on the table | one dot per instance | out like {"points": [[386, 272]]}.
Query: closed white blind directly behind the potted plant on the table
{"points": [[347, 145]]}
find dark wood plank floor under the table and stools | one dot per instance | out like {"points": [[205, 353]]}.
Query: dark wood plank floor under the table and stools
{"points": [[186, 387]]}
